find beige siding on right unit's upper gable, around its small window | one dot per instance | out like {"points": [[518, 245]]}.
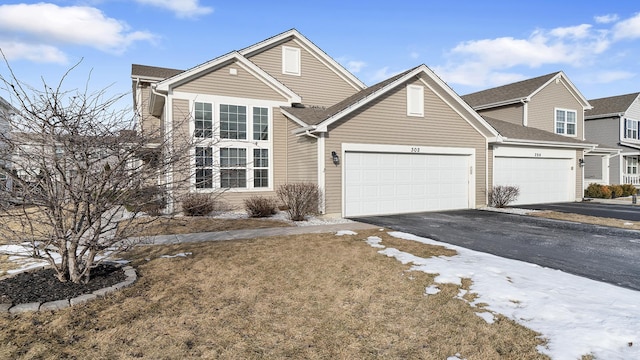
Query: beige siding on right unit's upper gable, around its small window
{"points": [[543, 105]]}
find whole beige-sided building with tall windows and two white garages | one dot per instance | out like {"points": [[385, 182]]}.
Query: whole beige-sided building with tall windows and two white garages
{"points": [[283, 111]]}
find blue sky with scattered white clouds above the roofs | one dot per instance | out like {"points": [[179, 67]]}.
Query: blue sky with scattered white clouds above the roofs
{"points": [[472, 45]]}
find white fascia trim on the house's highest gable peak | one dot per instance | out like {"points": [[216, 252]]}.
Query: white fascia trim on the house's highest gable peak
{"points": [[315, 51]]}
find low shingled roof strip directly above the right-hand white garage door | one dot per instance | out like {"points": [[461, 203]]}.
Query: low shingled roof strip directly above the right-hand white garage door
{"points": [[518, 134]]}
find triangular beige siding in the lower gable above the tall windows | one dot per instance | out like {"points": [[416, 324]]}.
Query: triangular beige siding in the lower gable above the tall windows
{"points": [[221, 82]]}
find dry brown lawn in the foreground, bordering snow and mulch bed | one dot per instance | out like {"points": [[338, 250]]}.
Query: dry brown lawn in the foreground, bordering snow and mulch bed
{"points": [[316, 296]]}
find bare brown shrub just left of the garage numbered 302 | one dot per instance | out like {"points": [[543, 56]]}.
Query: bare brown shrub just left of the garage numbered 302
{"points": [[299, 199]]}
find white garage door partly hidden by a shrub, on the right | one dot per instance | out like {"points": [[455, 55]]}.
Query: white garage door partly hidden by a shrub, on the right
{"points": [[541, 180]]}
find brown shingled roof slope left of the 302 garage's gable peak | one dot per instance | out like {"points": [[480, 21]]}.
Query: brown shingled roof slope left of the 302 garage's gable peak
{"points": [[315, 115]]}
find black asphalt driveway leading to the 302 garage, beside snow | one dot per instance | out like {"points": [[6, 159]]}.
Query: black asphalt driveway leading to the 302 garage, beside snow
{"points": [[601, 253]]}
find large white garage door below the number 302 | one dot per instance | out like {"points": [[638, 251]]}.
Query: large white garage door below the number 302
{"points": [[392, 183]]}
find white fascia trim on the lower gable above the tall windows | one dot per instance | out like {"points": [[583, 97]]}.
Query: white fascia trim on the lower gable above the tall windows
{"points": [[252, 68]]}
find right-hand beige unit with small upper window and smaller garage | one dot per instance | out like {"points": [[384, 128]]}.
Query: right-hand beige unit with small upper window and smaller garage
{"points": [[542, 137]]}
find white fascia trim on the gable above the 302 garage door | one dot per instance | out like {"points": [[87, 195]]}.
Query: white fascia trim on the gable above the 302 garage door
{"points": [[319, 119]]}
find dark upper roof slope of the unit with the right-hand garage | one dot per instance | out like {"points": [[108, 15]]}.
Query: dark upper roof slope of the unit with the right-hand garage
{"points": [[514, 91]]}
